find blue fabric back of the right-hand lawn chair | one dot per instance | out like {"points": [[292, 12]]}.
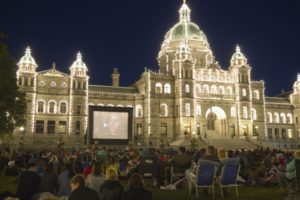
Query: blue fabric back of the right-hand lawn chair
{"points": [[229, 174]]}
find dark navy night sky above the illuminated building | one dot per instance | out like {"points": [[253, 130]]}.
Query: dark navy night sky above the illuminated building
{"points": [[128, 34]]}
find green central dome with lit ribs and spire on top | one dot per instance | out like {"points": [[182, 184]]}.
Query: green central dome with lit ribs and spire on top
{"points": [[185, 29]]}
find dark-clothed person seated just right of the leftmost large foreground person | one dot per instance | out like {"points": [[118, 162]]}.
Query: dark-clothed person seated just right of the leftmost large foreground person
{"points": [[49, 182]]}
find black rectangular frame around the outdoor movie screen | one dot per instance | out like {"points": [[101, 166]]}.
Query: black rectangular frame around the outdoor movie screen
{"points": [[92, 140]]}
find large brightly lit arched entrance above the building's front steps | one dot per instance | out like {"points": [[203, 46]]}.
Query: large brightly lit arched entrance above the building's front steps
{"points": [[215, 122]]}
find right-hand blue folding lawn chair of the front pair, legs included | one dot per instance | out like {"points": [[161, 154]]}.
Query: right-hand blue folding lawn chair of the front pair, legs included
{"points": [[229, 177]]}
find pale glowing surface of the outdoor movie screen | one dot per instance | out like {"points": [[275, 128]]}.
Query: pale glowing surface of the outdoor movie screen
{"points": [[110, 125]]}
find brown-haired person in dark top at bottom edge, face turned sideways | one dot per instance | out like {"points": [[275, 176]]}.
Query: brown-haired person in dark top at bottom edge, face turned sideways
{"points": [[80, 191]]}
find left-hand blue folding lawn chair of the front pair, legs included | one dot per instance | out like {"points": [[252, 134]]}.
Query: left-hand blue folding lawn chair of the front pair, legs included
{"points": [[205, 176]]}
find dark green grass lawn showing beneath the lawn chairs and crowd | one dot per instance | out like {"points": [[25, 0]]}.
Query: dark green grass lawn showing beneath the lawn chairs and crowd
{"points": [[245, 193]]}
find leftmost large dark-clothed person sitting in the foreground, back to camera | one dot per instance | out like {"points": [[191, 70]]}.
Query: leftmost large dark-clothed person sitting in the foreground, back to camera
{"points": [[28, 182]]}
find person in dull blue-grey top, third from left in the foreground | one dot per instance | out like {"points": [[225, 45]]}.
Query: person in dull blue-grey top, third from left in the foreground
{"points": [[63, 180]]}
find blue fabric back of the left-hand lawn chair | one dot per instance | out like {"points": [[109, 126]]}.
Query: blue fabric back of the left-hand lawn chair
{"points": [[205, 174]]}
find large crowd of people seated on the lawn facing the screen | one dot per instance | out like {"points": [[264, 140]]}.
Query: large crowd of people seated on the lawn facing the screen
{"points": [[95, 173]]}
